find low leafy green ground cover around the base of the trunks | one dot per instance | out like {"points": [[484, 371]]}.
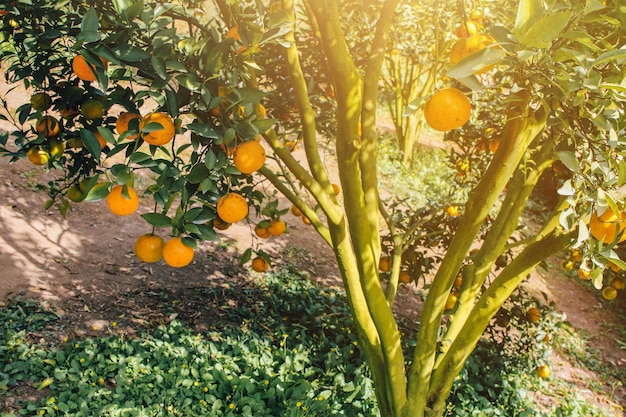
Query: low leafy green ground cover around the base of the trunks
{"points": [[290, 350]]}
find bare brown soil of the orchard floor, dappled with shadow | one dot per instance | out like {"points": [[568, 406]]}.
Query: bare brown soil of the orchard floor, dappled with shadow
{"points": [[83, 265]]}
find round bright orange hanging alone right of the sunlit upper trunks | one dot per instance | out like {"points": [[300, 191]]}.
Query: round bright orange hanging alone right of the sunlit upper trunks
{"points": [[447, 109]]}
